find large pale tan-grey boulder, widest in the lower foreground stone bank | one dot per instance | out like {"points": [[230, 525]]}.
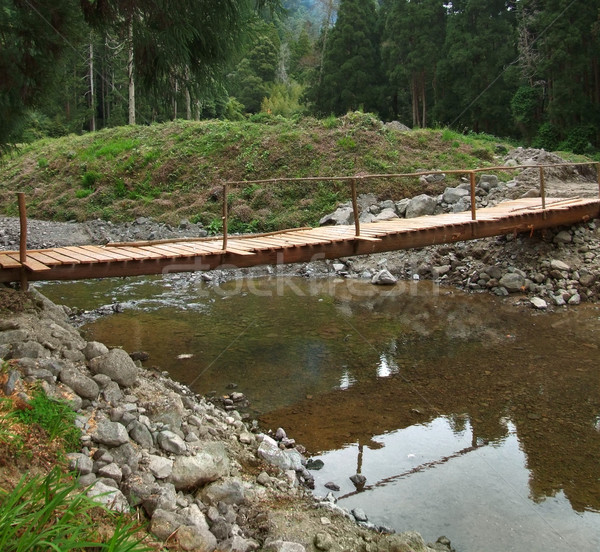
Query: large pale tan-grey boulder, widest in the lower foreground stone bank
{"points": [[206, 466]]}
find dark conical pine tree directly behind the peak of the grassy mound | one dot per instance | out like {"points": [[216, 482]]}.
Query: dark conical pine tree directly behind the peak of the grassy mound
{"points": [[351, 68]]}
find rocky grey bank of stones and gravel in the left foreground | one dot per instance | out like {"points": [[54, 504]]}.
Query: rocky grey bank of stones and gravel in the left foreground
{"points": [[203, 477]]}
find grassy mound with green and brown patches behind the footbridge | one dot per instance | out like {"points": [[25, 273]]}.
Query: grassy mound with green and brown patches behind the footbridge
{"points": [[175, 171]]}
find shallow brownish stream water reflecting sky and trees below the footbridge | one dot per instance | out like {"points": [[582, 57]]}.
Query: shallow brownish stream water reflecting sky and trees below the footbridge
{"points": [[468, 416]]}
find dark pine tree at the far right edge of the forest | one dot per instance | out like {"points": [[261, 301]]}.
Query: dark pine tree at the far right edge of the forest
{"points": [[559, 50]]}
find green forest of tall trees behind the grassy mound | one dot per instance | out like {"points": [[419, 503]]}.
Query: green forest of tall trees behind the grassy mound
{"points": [[522, 69]]}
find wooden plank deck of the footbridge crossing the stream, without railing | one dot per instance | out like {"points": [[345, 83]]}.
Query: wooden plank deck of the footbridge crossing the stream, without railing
{"points": [[290, 246]]}
